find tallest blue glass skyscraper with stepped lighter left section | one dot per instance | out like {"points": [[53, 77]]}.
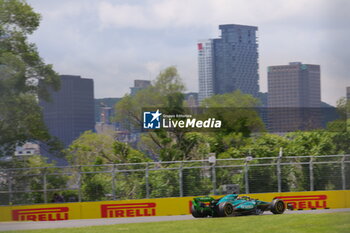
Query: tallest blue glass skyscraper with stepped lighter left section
{"points": [[229, 63]]}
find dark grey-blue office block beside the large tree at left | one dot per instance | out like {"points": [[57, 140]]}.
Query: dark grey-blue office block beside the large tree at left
{"points": [[71, 109]]}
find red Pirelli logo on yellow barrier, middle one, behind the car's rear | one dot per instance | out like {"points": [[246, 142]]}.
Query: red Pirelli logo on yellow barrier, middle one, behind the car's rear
{"points": [[128, 210]]}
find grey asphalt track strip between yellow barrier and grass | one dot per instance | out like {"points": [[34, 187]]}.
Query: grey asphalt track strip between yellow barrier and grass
{"points": [[15, 226]]}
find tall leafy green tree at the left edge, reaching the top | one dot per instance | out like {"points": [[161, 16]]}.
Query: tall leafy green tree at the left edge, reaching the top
{"points": [[24, 78]]}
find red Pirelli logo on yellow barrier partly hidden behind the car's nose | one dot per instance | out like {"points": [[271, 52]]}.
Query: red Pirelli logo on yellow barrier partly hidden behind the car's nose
{"points": [[306, 202]]}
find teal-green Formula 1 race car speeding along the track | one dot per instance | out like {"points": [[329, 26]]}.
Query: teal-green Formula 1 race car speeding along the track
{"points": [[234, 205]]}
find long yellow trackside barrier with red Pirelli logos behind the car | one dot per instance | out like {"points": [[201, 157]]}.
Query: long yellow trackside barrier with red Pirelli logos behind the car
{"points": [[159, 207]]}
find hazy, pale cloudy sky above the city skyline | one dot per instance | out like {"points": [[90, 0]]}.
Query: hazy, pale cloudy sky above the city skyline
{"points": [[117, 41]]}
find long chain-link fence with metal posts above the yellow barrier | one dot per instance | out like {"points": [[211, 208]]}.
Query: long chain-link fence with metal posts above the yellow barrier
{"points": [[174, 179]]}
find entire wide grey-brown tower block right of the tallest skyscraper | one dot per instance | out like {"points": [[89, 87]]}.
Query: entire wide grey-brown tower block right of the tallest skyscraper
{"points": [[294, 97]]}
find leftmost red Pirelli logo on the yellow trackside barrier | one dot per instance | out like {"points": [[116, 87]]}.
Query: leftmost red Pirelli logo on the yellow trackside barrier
{"points": [[41, 214]]}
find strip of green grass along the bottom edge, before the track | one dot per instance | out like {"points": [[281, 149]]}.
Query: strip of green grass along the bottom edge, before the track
{"points": [[330, 222]]}
